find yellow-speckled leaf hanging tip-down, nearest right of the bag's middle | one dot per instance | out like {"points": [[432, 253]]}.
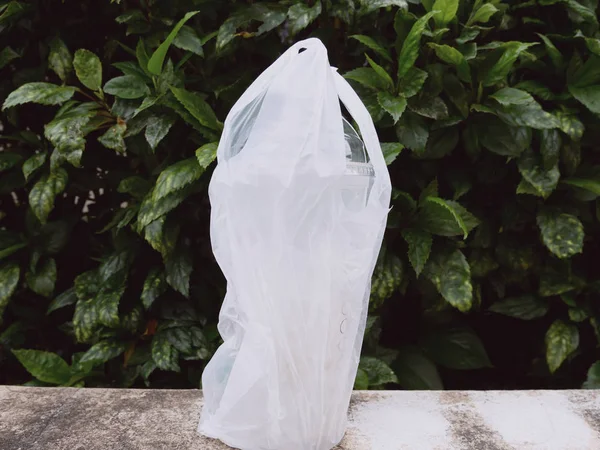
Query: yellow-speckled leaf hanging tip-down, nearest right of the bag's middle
{"points": [[450, 273]]}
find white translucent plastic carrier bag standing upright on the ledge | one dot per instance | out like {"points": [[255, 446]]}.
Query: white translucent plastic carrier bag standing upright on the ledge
{"points": [[298, 252]]}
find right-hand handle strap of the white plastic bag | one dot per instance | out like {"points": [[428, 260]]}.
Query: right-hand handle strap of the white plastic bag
{"points": [[361, 115]]}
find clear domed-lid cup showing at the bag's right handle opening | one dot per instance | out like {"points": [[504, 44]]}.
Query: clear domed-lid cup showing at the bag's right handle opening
{"points": [[360, 174]]}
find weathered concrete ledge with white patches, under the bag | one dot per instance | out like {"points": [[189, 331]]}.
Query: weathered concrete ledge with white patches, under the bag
{"points": [[127, 419]]}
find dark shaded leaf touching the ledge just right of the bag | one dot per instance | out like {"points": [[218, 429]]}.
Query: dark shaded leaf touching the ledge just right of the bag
{"points": [[415, 371]]}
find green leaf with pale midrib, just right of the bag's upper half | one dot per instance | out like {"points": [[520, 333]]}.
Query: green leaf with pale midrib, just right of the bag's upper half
{"points": [[446, 217]]}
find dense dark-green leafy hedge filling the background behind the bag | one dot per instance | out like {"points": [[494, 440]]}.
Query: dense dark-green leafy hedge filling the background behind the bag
{"points": [[488, 112]]}
